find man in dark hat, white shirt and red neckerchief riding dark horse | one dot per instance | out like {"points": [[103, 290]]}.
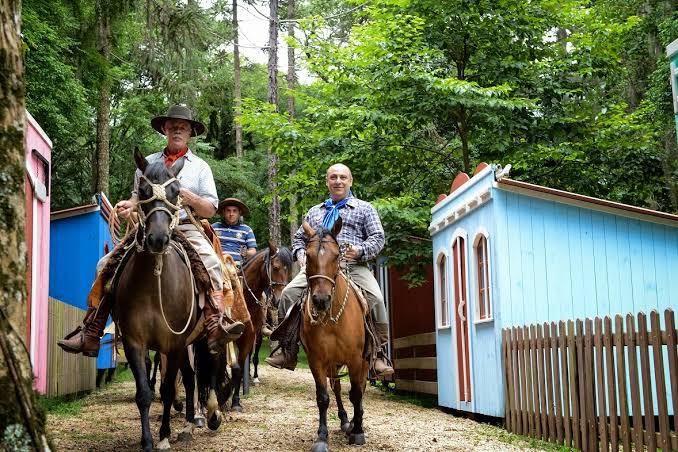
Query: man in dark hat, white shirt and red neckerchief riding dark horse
{"points": [[198, 192]]}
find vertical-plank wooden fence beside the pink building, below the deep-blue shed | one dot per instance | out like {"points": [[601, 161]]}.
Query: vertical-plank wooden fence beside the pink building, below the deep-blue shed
{"points": [[66, 373]]}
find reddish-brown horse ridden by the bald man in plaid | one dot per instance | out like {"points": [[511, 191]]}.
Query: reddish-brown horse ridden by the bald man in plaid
{"points": [[333, 332]]}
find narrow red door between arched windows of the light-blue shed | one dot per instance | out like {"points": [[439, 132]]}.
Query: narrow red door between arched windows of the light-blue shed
{"points": [[461, 319]]}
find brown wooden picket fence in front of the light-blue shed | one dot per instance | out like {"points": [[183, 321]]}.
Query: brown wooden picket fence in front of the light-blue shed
{"points": [[584, 385]]}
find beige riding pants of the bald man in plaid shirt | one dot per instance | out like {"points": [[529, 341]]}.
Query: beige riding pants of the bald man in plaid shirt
{"points": [[360, 274]]}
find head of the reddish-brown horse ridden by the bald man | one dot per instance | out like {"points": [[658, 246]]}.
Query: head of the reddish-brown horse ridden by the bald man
{"points": [[322, 263]]}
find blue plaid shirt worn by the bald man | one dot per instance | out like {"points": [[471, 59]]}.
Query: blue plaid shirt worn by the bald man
{"points": [[361, 228]]}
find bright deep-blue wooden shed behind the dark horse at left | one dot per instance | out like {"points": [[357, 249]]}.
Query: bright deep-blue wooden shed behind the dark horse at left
{"points": [[80, 237]]}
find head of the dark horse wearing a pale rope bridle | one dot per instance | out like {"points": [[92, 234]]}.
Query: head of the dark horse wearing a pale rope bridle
{"points": [[158, 202]]}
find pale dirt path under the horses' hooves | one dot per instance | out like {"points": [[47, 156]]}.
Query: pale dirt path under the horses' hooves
{"points": [[280, 415]]}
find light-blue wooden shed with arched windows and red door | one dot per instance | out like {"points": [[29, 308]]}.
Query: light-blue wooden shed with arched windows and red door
{"points": [[509, 253]]}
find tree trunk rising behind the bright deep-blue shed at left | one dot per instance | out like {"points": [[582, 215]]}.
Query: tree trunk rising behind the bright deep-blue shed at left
{"points": [[104, 109]]}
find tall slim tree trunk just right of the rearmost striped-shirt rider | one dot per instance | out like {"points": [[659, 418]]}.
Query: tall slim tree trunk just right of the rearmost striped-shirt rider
{"points": [[274, 209]]}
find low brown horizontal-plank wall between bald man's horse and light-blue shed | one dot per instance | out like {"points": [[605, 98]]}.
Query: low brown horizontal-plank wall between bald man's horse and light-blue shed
{"points": [[415, 363]]}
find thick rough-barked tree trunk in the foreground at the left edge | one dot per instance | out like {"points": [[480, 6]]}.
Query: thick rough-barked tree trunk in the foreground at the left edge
{"points": [[22, 421]]}
